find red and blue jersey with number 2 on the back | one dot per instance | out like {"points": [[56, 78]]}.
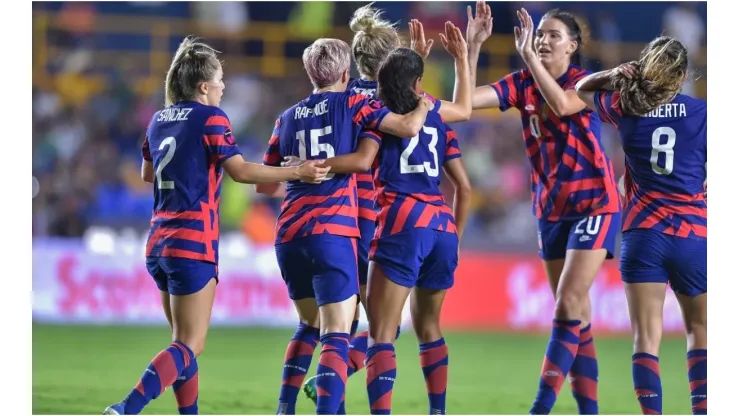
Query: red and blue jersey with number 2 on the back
{"points": [[187, 143]]}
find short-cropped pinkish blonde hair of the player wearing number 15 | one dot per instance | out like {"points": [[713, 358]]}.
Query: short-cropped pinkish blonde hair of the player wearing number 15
{"points": [[325, 60]]}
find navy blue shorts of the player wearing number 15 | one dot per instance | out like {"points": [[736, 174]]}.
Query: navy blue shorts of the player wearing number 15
{"points": [[321, 266]]}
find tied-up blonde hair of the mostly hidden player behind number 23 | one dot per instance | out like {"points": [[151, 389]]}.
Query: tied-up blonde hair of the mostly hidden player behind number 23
{"points": [[374, 40]]}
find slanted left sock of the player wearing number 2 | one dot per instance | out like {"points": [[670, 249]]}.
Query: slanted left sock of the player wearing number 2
{"points": [[161, 373]]}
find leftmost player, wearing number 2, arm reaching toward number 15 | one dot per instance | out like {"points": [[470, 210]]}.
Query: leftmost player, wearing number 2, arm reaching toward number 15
{"points": [[187, 146]]}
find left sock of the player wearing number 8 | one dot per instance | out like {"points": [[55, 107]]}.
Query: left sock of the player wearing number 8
{"points": [[646, 379]]}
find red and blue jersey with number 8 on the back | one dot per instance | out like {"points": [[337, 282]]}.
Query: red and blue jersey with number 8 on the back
{"points": [[666, 157]]}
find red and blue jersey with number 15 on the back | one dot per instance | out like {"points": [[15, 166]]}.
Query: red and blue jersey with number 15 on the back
{"points": [[322, 126]]}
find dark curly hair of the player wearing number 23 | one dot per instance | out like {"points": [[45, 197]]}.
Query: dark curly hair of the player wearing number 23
{"points": [[396, 79]]}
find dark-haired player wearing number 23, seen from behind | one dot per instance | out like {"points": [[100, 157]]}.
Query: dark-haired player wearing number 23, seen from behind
{"points": [[416, 239]]}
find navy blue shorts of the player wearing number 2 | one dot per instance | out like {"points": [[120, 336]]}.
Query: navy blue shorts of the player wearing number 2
{"points": [[178, 276]]}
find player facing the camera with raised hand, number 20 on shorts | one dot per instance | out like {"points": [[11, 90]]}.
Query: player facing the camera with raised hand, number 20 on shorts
{"points": [[575, 196]]}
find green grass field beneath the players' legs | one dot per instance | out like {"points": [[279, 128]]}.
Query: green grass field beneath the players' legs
{"points": [[80, 370]]}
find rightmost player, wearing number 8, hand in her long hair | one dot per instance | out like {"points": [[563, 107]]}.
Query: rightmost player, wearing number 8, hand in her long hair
{"points": [[664, 135]]}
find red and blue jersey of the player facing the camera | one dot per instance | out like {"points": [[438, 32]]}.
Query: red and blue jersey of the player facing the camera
{"points": [[572, 177]]}
